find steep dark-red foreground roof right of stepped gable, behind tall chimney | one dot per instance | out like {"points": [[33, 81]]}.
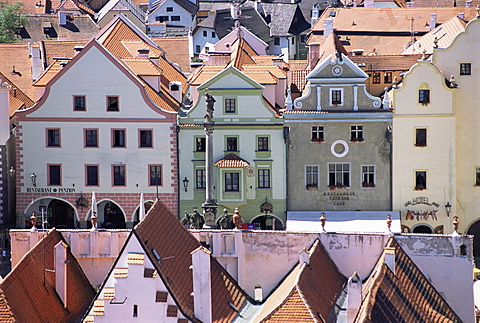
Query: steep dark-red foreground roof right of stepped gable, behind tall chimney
{"points": [[162, 231]]}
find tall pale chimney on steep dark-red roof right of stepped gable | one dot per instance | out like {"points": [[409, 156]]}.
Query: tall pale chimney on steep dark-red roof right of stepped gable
{"points": [[202, 284]]}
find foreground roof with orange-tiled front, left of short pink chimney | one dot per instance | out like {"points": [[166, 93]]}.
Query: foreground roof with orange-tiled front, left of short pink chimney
{"points": [[308, 293]]}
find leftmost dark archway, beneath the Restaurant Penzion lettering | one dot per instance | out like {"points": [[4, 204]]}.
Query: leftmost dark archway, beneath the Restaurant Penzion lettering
{"points": [[58, 212]]}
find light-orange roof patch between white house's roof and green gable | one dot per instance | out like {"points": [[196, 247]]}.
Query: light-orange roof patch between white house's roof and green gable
{"points": [[175, 49]]}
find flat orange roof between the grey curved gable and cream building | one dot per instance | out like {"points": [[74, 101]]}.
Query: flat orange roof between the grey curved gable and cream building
{"points": [[385, 62]]}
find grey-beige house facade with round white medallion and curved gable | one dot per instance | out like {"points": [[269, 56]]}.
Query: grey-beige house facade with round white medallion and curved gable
{"points": [[339, 147]]}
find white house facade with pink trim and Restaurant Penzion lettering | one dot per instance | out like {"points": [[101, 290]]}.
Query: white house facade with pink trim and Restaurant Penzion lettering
{"points": [[110, 133]]}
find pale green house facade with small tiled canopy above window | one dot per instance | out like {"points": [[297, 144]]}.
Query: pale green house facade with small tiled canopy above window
{"points": [[248, 150]]}
